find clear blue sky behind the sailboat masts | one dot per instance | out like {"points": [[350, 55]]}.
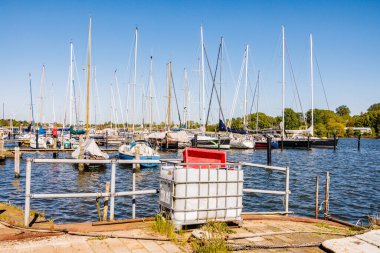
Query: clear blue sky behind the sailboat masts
{"points": [[346, 42]]}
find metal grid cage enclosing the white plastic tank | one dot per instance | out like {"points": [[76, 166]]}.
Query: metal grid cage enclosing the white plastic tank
{"points": [[205, 180]]}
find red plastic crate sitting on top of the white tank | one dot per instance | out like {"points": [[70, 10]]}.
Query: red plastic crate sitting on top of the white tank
{"points": [[199, 155]]}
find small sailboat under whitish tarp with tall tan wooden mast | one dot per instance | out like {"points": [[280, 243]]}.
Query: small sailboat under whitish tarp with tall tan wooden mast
{"points": [[89, 149]]}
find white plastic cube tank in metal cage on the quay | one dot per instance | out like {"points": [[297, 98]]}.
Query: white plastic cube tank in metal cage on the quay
{"points": [[196, 196]]}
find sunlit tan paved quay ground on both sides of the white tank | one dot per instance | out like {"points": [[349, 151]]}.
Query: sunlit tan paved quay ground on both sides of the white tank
{"points": [[258, 233]]}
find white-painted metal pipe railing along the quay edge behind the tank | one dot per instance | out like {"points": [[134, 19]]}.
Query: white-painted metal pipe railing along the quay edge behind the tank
{"points": [[112, 194]]}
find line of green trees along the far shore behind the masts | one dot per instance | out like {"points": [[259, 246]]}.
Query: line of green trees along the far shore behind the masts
{"points": [[326, 122]]}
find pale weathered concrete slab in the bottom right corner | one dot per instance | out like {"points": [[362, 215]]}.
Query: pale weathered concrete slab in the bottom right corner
{"points": [[368, 242]]}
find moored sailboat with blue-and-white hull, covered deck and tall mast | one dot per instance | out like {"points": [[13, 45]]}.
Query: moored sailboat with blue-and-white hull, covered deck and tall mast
{"points": [[137, 149]]}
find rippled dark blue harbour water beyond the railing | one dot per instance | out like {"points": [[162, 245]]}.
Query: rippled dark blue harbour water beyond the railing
{"points": [[354, 187]]}
